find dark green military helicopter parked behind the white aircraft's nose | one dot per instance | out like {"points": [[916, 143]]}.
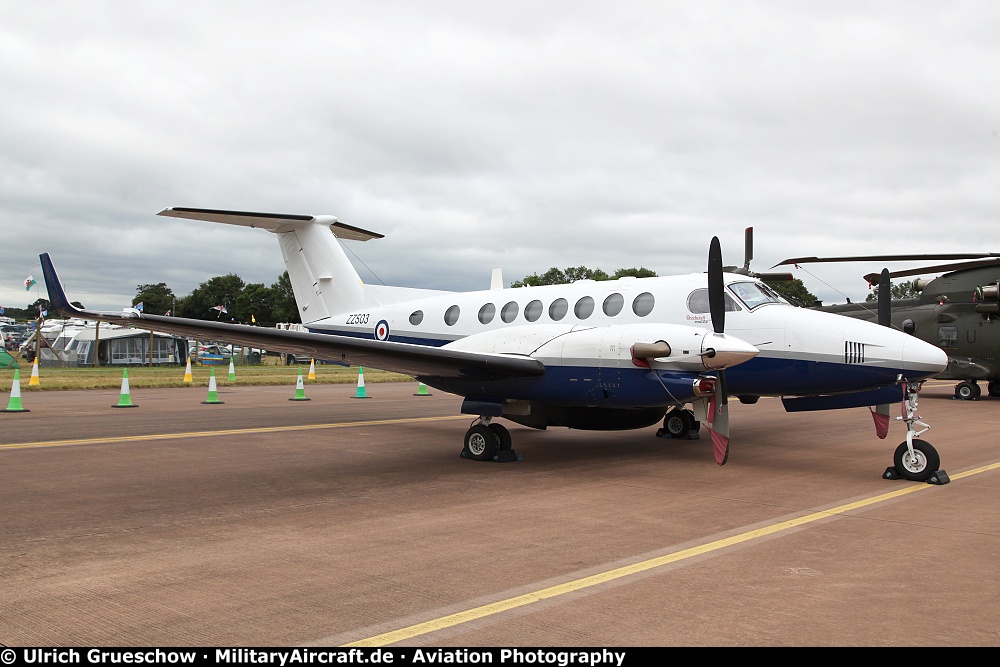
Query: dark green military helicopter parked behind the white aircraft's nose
{"points": [[958, 311]]}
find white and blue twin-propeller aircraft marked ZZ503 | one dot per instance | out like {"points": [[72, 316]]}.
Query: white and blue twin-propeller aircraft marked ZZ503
{"points": [[613, 355]]}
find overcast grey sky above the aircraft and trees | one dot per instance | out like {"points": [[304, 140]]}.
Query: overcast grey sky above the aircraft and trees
{"points": [[520, 135]]}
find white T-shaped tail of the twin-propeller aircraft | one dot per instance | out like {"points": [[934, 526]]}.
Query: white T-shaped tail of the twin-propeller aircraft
{"points": [[323, 279]]}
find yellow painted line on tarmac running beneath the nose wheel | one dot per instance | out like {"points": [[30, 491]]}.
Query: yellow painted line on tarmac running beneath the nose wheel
{"points": [[629, 570]]}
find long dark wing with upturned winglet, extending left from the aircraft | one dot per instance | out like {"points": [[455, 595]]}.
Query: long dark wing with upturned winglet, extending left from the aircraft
{"points": [[415, 360]]}
